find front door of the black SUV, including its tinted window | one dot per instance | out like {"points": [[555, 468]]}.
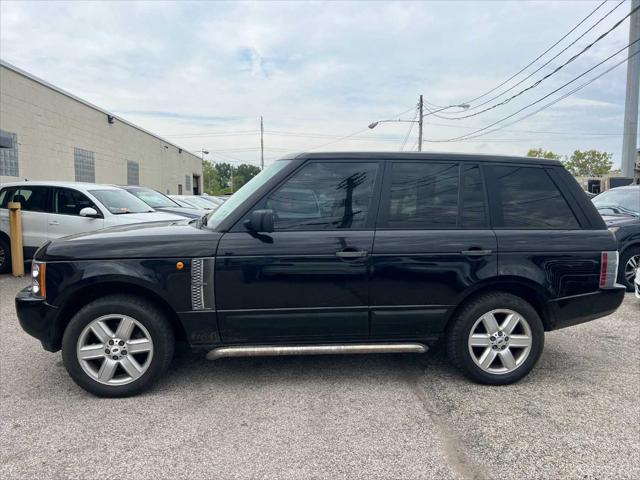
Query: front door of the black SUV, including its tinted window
{"points": [[308, 280]]}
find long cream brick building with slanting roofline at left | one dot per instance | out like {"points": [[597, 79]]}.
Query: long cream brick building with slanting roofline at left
{"points": [[50, 134]]}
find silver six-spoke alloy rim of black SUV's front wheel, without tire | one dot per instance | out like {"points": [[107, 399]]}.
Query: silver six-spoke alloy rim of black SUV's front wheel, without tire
{"points": [[114, 349]]}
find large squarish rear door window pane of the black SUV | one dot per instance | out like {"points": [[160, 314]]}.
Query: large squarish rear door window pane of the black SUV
{"points": [[423, 195]]}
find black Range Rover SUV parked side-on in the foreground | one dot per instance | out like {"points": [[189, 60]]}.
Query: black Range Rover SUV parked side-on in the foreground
{"points": [[335, 253]]}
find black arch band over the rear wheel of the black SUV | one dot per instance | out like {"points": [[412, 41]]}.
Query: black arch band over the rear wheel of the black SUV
{"points": [[526, 289]]}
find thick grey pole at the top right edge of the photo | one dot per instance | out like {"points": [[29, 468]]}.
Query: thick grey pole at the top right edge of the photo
{"points": [[629, 139]]}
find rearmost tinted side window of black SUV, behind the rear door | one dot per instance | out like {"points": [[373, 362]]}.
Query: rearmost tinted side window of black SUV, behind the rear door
{"points": [[530, 199]]}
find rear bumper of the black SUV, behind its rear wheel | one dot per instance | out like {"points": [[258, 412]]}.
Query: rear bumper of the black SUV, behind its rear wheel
{"points": [[577, 309]]}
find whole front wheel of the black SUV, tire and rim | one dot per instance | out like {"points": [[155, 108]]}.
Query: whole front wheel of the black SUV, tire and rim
{"points": [[143, 348]]}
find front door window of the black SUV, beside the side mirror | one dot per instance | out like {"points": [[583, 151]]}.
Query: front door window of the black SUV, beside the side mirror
{"points": [[325, 196]]}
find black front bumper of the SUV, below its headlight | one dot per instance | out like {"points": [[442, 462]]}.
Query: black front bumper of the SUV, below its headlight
{"points": [[37, 318]]}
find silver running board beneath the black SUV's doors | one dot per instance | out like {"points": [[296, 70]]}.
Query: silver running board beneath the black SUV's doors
{"points": [[270, 351]]}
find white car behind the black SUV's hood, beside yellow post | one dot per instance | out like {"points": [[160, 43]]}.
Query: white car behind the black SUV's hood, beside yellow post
{"points": [[57, 209]]}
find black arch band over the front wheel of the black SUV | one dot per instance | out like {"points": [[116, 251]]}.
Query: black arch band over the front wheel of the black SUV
{"points": [[91, 292]]}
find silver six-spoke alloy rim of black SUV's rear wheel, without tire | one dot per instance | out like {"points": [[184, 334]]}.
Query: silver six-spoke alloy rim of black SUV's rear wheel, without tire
{"points": [[500, 341]]}
